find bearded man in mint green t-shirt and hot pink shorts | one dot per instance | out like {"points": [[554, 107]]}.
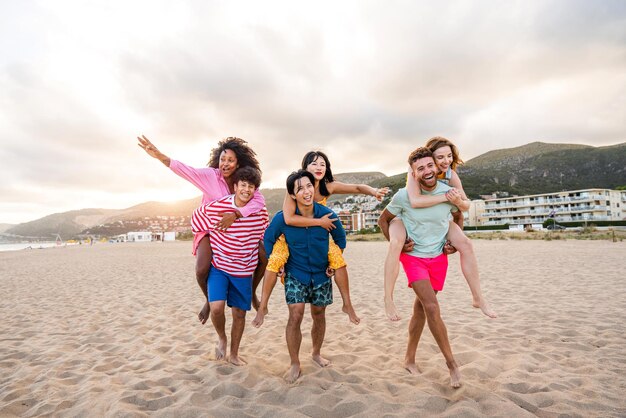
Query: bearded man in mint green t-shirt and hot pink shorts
{"points": [[425, 264]]}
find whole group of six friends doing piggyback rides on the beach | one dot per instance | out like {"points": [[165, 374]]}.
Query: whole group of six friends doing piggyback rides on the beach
{"points": [[305, 243]]}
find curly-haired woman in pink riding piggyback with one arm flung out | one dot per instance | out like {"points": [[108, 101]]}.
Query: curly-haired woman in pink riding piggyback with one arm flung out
{"points": [[216, 181]]}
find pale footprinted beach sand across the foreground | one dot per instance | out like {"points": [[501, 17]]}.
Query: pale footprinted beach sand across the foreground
{"points": [[112, 330]]}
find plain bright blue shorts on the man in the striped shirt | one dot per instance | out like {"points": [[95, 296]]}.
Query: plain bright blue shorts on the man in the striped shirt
{"points": [[236, 291]]}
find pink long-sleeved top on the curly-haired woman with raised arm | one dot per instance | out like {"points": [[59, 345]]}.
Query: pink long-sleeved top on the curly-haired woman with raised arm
{"points": [[213, 185]]}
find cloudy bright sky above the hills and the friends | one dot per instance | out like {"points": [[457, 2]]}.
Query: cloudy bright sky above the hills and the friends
{"points": [[364, 81]]}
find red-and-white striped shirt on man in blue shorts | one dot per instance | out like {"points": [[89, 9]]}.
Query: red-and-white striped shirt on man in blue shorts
{"points": [[236, 250]]}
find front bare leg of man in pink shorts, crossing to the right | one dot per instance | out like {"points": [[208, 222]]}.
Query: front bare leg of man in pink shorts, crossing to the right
{"points": [[428, 299]]}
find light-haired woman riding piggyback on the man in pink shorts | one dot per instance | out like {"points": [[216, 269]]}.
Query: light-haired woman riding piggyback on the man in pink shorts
{"points": [[447, 159]]}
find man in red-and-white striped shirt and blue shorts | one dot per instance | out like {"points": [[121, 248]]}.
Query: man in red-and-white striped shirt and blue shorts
{"points": [[235, 257]]}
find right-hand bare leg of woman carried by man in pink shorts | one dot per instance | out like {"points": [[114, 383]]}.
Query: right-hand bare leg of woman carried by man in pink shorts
{"points": [[469, 266]]}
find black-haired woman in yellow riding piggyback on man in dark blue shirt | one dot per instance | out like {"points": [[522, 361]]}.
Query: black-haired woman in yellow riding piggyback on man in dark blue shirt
{"points": [[317, 163]]}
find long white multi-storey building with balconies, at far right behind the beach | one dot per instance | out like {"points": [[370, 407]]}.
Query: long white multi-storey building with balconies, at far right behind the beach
{"points": [[569, 206]]}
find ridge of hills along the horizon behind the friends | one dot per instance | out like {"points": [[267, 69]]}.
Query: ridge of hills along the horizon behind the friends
{"points": [[533, 168]]}
